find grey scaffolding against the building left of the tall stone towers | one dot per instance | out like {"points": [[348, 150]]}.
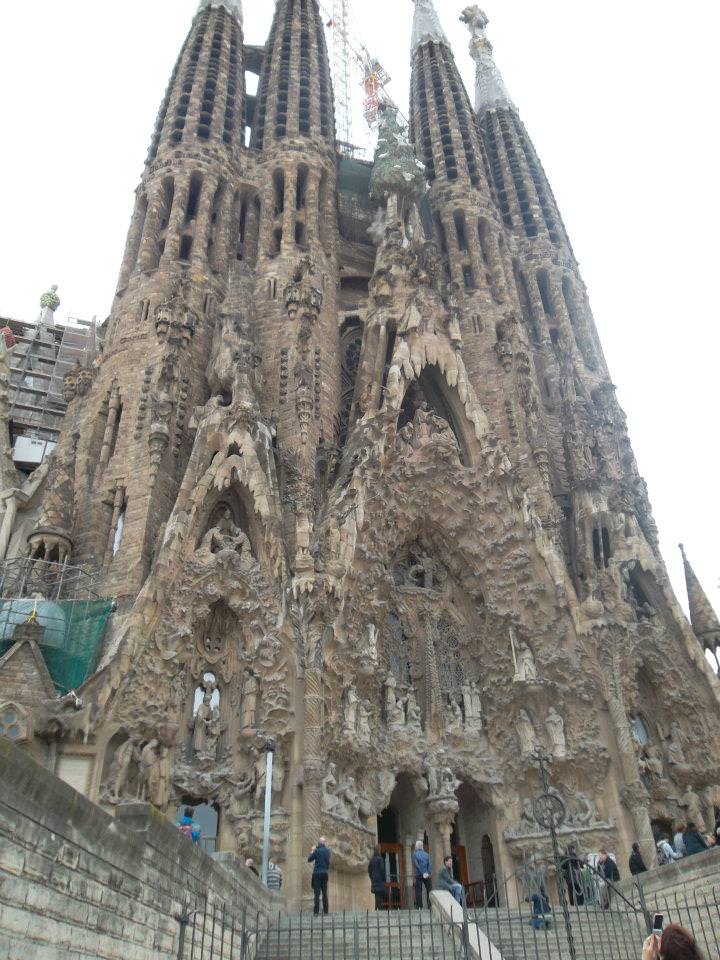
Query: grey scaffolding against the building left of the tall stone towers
{"points": [[44, 353]]}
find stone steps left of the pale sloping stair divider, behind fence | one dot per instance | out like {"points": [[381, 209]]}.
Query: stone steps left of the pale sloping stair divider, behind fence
{"points": [[395, 935]]}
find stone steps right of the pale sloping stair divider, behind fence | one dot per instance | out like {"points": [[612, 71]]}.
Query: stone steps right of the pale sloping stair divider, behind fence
{"points": [[598, 934]]}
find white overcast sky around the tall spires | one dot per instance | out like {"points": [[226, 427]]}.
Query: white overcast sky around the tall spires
{"points": [[620, 98]]}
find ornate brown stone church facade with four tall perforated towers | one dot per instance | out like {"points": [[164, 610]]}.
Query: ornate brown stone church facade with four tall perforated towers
{"points": [[352, 468]]}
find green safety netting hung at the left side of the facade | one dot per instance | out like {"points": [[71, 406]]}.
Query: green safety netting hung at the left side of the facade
{"points": [[72, 634]]}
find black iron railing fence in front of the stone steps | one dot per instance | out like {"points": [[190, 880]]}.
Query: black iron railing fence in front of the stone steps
{"points": [[518, 924]]}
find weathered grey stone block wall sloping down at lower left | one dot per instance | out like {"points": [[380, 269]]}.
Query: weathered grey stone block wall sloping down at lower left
{"points": [[75, 882]]}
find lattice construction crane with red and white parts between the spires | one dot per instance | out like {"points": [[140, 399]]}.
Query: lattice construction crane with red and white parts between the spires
{"points": [[348, 53]]}
